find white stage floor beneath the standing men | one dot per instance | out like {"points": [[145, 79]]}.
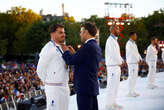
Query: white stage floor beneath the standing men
{"points": [[149, 99]]}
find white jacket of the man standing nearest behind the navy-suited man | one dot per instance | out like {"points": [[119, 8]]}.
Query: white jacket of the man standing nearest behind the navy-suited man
{"points": [[112, 52]]}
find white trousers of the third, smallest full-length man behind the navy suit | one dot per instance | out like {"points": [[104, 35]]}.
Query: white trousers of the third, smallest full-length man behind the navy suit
{"points": [[152, 72]]}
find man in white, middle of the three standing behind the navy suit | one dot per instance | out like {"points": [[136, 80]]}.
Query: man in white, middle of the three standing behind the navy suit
{"points": [[133, 58]]}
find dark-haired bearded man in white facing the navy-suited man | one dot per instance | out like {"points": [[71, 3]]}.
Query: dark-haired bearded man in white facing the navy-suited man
{"points": [[53, 72]]}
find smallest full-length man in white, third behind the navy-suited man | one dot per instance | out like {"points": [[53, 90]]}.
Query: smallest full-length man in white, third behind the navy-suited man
{"points": [[151, 59]]}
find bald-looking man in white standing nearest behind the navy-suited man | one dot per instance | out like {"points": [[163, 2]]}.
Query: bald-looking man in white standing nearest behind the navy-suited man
{"points": [[113, 62]]}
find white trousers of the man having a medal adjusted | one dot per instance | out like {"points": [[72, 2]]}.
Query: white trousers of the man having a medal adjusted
{"points": [[57, 97]]}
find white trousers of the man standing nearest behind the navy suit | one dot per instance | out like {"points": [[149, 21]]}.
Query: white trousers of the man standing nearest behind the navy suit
{"points": [[113, 82]]}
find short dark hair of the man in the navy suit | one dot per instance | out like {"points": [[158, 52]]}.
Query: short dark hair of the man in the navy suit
{"points": [[92, 29]]}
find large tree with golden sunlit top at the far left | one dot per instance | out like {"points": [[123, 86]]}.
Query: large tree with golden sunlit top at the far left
{"points": [[13, 26]]}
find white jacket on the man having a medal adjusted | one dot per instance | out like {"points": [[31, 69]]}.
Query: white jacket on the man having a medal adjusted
{"points": [[51, 66]]}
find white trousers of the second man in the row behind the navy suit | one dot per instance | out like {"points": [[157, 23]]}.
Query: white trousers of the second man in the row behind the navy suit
{"points": [[132, 78]]}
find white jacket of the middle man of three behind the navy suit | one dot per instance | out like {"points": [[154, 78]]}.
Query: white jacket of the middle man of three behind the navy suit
{"points": [[132, 54]]}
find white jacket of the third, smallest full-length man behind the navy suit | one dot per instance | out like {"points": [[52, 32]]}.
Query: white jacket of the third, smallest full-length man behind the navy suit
{"points": [[151, 55]]}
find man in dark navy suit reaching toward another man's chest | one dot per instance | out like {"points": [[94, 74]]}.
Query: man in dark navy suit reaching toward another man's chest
{"points": [[86, 61]]}
